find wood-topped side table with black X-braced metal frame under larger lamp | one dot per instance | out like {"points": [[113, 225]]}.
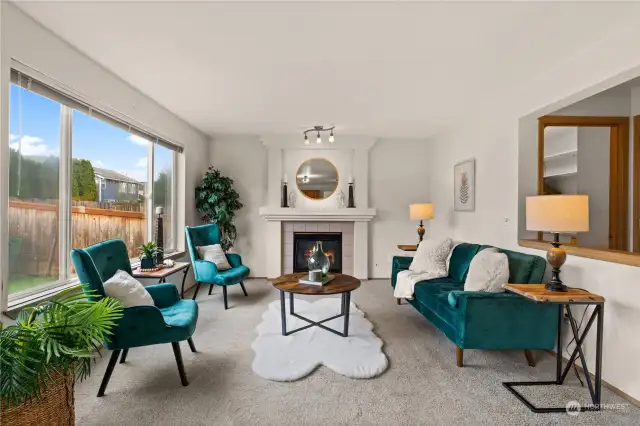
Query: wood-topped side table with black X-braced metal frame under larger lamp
{"points": [[575, 296]]}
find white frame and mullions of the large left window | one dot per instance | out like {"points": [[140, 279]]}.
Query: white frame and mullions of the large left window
{"points": [[65, 279]]}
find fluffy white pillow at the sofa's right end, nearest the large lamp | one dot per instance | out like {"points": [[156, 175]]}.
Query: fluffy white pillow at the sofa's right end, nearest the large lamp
{"points": [[488, 270]]}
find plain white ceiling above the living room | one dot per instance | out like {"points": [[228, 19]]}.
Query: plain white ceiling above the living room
{"points": [[378, 69]]}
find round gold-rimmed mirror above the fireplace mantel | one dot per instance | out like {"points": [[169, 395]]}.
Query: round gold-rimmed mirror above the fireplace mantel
{"points": [[317, 178]]}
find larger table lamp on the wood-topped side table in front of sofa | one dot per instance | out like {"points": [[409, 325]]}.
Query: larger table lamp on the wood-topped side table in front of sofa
{"points": [[557, 214]]}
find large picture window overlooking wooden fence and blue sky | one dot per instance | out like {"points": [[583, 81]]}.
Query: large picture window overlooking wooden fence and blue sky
{"points": [[78, 176]]}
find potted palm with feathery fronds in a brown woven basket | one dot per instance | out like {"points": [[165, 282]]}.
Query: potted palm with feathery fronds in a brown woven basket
{"points": [[50, 347]]}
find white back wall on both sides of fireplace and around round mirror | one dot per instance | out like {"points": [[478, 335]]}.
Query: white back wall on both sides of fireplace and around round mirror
{"points": [[398, 176]]}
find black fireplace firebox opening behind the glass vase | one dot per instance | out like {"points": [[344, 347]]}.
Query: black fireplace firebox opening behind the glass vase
{"points": [[303, 243]]}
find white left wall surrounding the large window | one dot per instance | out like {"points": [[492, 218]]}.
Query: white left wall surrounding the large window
{"points": [[26, 41]]}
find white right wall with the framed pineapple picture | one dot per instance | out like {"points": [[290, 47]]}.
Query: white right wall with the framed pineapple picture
{"points": [[491, 136]]}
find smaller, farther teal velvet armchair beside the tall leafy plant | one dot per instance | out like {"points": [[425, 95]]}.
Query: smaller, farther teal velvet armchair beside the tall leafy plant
{"points": [[205, 271]]}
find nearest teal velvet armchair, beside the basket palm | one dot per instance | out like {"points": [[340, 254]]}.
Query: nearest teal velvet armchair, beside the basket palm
{"points": [[171, 320]]}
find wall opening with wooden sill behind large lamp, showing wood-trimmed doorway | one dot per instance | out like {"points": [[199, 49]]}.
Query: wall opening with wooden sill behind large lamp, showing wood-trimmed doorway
{"points": [[592, 148]]}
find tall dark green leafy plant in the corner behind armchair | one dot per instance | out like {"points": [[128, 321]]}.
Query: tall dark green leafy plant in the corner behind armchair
{"points": [[219, 201]]}
